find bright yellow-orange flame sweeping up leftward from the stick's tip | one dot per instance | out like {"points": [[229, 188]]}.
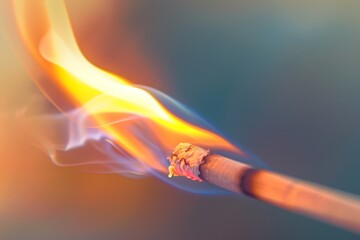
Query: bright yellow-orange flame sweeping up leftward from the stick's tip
{"points": [[104, 97]]}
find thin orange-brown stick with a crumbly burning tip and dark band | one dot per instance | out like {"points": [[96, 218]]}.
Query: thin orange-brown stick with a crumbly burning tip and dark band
{"points": [[321, 203]]}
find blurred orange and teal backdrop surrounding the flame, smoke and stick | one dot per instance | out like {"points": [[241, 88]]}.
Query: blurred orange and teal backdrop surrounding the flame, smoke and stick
{"points": [[280, 78]]}
